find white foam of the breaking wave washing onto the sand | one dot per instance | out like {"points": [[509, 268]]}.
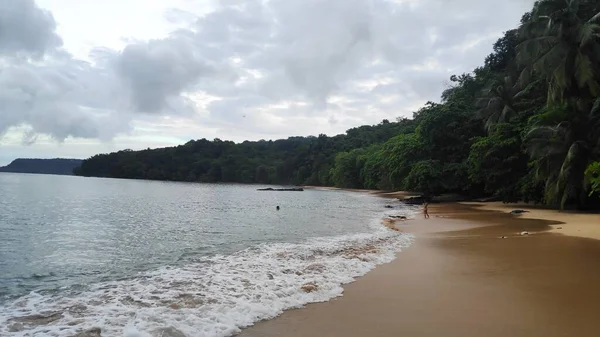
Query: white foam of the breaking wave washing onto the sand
{"points": [[214, 296]]}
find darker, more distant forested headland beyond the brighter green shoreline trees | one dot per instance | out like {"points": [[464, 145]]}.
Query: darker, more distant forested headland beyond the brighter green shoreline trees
{"points": [[296, 160]]}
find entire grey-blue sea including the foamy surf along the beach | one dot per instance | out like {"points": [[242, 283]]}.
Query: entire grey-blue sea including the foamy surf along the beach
{"points": [[132, 258]]}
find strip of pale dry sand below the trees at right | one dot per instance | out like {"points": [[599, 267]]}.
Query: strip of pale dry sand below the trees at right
{"points": [[570, 223]]}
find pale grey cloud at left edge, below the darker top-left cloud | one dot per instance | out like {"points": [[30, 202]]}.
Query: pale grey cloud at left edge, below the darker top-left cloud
{"points": [[61, 98]]}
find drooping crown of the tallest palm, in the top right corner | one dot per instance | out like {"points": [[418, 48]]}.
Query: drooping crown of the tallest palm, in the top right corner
{"points": [[561, 43]]}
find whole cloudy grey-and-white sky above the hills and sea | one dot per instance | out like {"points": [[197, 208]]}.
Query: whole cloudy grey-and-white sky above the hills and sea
{"points": [[82, 77]]}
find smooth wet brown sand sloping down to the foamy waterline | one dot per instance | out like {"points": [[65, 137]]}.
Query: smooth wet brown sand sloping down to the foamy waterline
{"points": [[460, 278]]}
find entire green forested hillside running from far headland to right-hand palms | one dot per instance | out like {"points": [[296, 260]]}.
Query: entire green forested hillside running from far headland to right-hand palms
{"points": [[523, 126]]}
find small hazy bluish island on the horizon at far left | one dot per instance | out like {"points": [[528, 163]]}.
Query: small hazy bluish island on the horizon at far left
{"points": [[58, 166]]}
